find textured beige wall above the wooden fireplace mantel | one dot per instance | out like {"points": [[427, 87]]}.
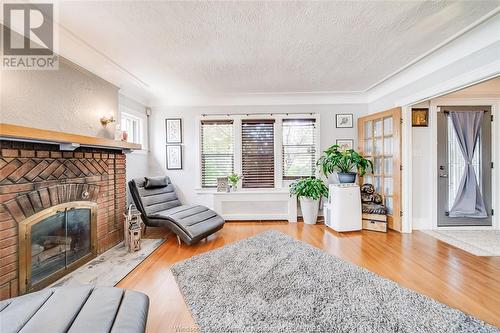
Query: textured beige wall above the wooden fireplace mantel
{"points": [[70, 100]]}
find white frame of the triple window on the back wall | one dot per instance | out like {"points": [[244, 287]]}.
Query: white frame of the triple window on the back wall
{"points": [[279, 182]]}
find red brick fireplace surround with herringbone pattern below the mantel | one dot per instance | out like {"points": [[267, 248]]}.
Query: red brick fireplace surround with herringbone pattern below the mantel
{"points": [[34, 177]]}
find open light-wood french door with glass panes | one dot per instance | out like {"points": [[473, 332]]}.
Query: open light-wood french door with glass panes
{"points": [[380, 141]]}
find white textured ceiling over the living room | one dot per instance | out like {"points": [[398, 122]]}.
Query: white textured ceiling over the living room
{"points": [[209, 48]]}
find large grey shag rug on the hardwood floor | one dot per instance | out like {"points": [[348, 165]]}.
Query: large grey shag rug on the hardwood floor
{"points": [[274, 283]]}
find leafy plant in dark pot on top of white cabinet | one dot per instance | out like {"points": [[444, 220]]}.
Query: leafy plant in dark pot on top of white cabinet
{"points": [[347, 163]]}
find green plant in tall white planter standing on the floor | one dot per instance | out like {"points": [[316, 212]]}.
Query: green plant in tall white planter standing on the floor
{"points": [[309, 191]]}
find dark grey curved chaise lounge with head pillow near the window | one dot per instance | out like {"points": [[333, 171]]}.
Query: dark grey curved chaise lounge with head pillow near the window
{"points": [[155, 198]]}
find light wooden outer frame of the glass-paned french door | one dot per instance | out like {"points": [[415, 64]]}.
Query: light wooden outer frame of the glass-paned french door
{"points": [[395, 222]]}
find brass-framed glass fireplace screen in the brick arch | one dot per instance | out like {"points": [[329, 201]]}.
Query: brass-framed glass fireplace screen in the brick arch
{"points": [[56, 242]]}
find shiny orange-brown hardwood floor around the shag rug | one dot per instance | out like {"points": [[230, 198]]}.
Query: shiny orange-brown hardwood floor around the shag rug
{"points": [[416, 261]]}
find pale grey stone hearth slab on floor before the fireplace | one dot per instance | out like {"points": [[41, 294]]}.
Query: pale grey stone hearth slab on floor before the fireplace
{"points": [[110, 267]]}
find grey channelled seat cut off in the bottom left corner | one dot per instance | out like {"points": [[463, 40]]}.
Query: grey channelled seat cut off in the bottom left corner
{"points": [[76, 310]]}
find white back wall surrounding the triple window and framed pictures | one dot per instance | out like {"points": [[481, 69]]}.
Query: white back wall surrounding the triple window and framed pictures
{"points": [[186, 179]]}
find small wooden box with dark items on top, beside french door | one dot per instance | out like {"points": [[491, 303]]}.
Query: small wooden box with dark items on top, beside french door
{"points": [[374, 212]]}
